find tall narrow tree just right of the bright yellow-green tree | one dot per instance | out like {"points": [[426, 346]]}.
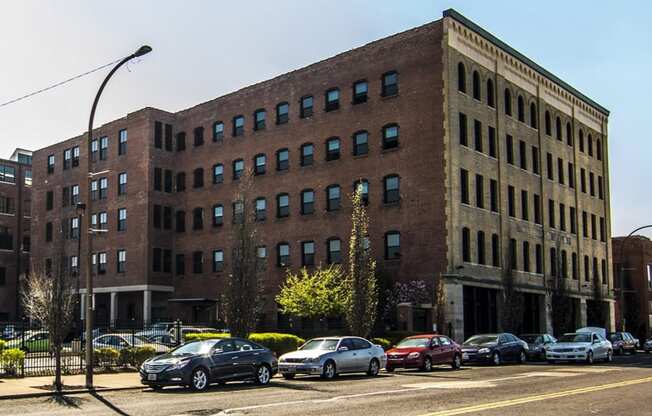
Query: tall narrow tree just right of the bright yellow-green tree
{"points": [[361, 281]]}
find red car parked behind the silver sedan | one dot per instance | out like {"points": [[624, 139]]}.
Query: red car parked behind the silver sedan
{"points": [[424, 351]]}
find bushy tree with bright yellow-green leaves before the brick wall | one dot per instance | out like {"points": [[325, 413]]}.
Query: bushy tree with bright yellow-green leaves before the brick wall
{"points": [[317, 294]]}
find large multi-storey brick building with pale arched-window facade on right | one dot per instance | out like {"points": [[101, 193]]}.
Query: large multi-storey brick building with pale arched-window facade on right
{"points": [[463, 144]]}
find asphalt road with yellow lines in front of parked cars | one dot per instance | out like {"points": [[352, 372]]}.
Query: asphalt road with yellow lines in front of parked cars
{"points": [[621, 388]]}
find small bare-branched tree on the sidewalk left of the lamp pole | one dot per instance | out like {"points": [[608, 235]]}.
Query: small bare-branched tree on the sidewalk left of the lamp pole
{"points": [[49, 298]]}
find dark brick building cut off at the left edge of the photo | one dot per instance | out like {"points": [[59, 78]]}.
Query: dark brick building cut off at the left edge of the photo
{"points": [[15, 204]]}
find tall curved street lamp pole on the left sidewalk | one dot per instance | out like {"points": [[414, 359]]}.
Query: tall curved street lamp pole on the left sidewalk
{"points": [[89, 242]]}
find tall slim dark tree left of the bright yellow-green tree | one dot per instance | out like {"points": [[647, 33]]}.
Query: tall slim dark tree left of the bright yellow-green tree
{"points": [[243, 286]]}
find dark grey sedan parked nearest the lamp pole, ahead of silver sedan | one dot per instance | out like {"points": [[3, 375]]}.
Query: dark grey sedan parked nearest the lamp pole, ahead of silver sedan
{"points": [[197, 364]]}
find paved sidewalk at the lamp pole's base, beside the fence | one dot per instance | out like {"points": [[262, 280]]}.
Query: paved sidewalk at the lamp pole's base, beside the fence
{"points": [[12, 388]]}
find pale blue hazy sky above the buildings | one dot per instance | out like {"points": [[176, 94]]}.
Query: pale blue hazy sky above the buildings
{"points": [[204, 49]]}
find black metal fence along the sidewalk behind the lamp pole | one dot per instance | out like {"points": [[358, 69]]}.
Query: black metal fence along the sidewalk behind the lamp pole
{"points": [[112, 343]]}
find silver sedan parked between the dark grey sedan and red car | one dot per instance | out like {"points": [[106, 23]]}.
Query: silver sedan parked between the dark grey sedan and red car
{"points": [[331, 356]]}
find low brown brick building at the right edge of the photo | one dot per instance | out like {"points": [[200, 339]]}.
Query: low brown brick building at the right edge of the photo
{"points": [[633, 264]]}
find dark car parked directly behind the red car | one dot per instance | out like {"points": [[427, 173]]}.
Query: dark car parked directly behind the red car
{"points": [[494, 349]]}
